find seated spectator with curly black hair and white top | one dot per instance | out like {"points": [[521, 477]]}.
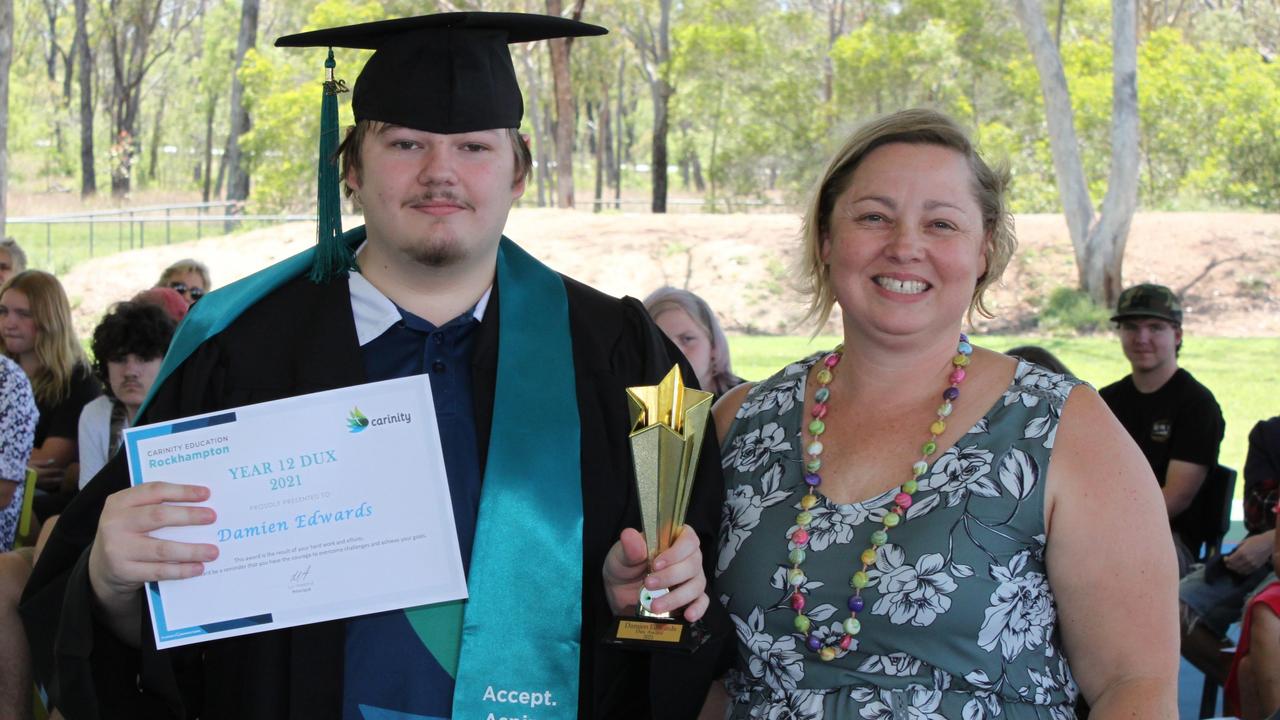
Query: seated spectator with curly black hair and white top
{"points": [[129, 348]]}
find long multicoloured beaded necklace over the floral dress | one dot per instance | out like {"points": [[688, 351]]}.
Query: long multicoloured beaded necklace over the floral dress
{"points": [[893, 518]]}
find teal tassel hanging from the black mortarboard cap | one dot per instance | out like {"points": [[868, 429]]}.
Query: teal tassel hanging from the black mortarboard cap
{"points": [[333, 256]]}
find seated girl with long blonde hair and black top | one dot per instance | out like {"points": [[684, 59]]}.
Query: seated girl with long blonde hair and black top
{"points": [[38, 334]]}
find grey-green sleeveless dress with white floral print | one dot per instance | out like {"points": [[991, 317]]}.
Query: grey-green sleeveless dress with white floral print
{"points": [[961, 621]]}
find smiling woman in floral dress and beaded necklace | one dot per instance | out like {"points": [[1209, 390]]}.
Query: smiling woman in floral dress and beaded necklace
{"points": [[931, 558]]}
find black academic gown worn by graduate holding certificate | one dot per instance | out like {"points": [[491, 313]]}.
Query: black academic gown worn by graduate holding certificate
{"points": [[303, 339]]}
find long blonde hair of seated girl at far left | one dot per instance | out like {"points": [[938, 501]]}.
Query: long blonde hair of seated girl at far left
{"points": [[57, 347]]}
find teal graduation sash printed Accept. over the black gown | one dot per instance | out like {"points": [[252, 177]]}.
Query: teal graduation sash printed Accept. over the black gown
{"points": [[514, 646]]}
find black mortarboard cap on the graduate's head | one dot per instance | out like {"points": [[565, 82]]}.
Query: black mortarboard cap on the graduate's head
{"points": [[446, 74]]}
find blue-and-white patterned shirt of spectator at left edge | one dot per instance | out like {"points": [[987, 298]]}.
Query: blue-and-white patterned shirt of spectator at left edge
{"points": [[17, 434]]}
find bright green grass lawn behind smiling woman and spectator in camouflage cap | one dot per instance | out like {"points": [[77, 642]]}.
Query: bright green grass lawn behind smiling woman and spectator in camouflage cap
{"points": [[1235, 370]]}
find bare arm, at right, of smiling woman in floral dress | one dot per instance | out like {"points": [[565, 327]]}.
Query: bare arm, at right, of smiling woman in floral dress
{"points": [[1112, 566]]}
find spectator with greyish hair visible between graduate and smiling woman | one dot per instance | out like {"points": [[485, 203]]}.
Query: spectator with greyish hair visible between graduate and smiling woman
{"points": [[689, 322]]}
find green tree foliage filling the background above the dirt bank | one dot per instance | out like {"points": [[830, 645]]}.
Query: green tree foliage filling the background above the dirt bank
{"points": [[762, 94]]}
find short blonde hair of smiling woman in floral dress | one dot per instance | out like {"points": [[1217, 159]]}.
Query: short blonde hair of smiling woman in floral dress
{"points": [[915, 127]]}
